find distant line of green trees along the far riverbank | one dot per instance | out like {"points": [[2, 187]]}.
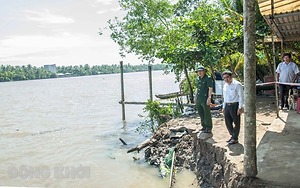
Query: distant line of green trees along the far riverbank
{"points": [[29, 72]]}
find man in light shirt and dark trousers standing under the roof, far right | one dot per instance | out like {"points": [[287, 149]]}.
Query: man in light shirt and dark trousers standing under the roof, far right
{"points": [[286, 72]]}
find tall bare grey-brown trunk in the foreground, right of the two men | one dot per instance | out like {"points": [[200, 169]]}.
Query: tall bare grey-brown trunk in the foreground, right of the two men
{"points": [[250, 160]]}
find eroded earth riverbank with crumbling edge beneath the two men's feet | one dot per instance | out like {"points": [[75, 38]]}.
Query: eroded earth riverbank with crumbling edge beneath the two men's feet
{"points": [[215, 163]]}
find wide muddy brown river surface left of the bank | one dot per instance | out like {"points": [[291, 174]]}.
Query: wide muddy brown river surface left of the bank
{"points": [[65, 132]]}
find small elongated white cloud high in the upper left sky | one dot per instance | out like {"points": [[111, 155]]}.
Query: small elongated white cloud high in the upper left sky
{"points": [[46, 17]]}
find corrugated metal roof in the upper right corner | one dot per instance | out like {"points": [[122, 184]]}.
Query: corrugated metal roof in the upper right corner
{"points": [[286, 18]]}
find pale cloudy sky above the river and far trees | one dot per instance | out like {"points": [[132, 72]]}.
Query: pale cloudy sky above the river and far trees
{"points": [[61, 32]]}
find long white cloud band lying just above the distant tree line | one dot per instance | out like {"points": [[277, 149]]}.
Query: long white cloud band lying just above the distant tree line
{"points": [[75, 56]]}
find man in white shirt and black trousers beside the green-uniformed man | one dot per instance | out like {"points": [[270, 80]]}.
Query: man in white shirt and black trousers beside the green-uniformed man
{"points": [[233, 105]]}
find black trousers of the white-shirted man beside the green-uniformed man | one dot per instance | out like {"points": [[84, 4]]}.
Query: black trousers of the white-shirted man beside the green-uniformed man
{"points": [[230, 113]]}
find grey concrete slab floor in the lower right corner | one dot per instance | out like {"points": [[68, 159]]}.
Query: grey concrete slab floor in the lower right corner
{"points": [[279, 151]]}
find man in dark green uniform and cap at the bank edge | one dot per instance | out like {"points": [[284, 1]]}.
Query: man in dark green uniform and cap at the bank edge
{"points": [[203, 99]]}
